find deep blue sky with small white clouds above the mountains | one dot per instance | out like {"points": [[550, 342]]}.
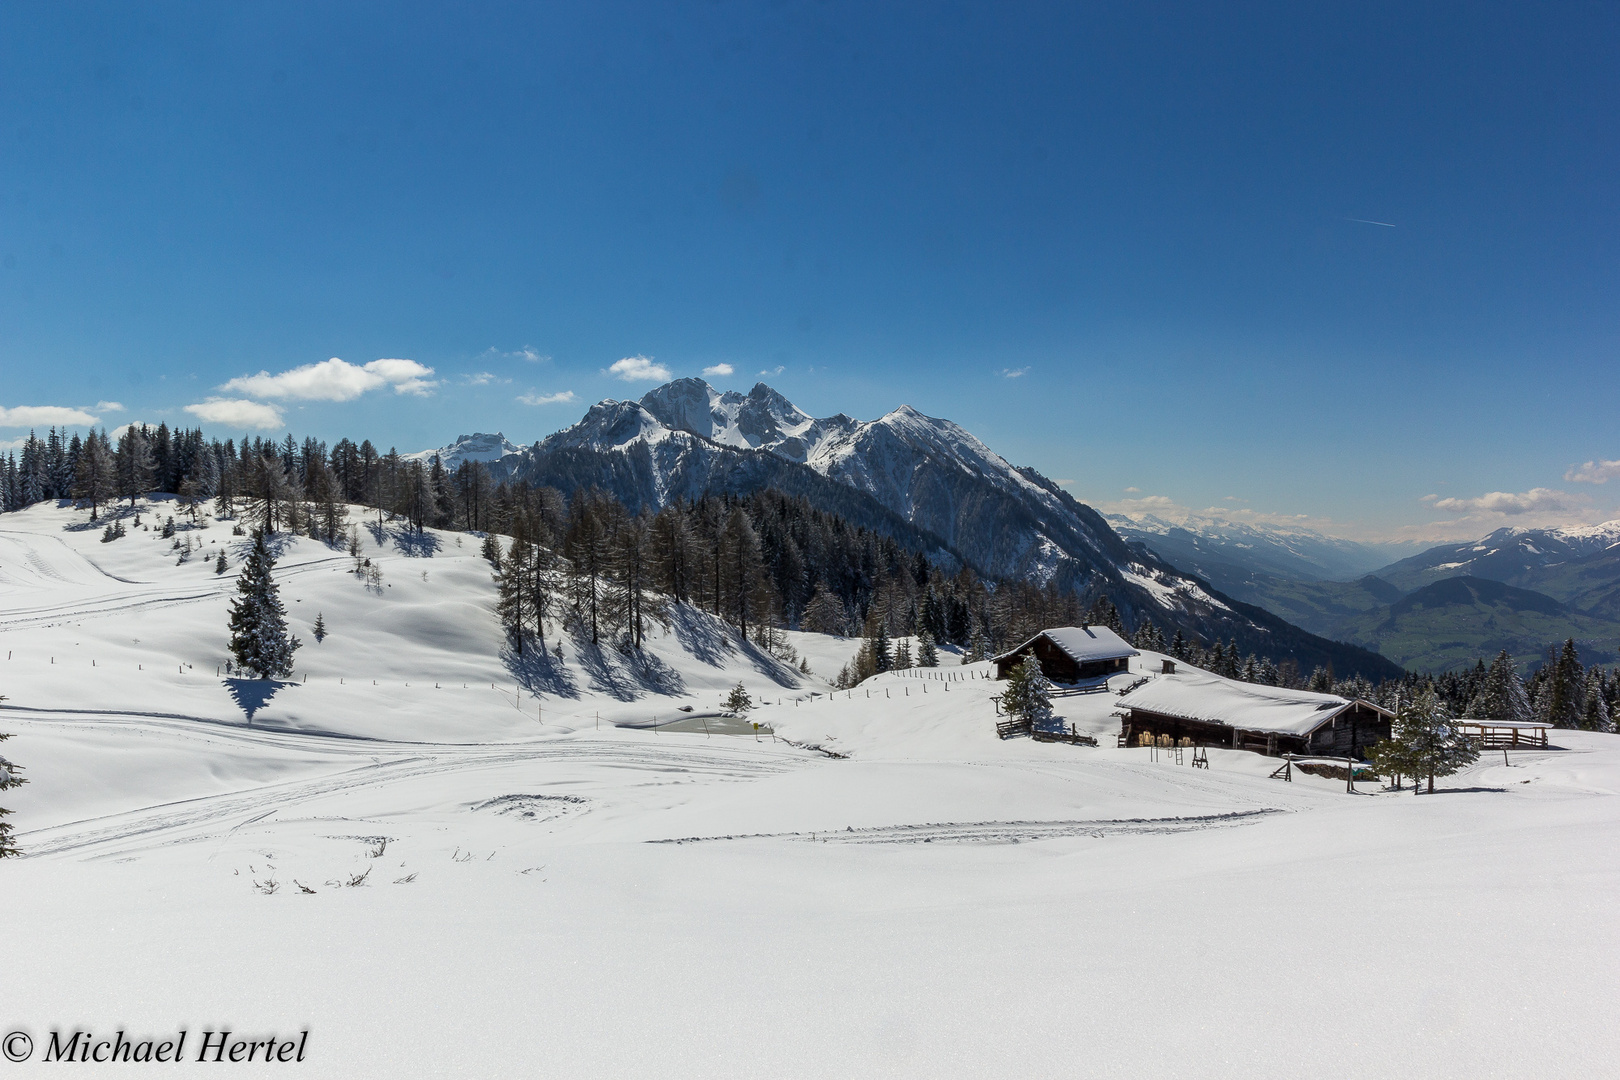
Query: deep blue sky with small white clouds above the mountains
{"points": [[1130, 245]]}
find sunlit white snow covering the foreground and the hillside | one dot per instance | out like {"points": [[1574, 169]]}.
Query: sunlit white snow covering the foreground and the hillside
{"points": [[545, 895]]}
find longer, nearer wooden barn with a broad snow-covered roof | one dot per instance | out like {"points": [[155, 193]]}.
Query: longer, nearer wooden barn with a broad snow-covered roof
{"points": [[1216, 712]]}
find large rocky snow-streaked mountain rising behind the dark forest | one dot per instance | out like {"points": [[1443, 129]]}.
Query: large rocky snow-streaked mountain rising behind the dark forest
{"points": [[923, 480]]}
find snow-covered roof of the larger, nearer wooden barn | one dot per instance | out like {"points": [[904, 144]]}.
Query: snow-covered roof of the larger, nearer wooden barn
{"points": [[1196, 695]]}
